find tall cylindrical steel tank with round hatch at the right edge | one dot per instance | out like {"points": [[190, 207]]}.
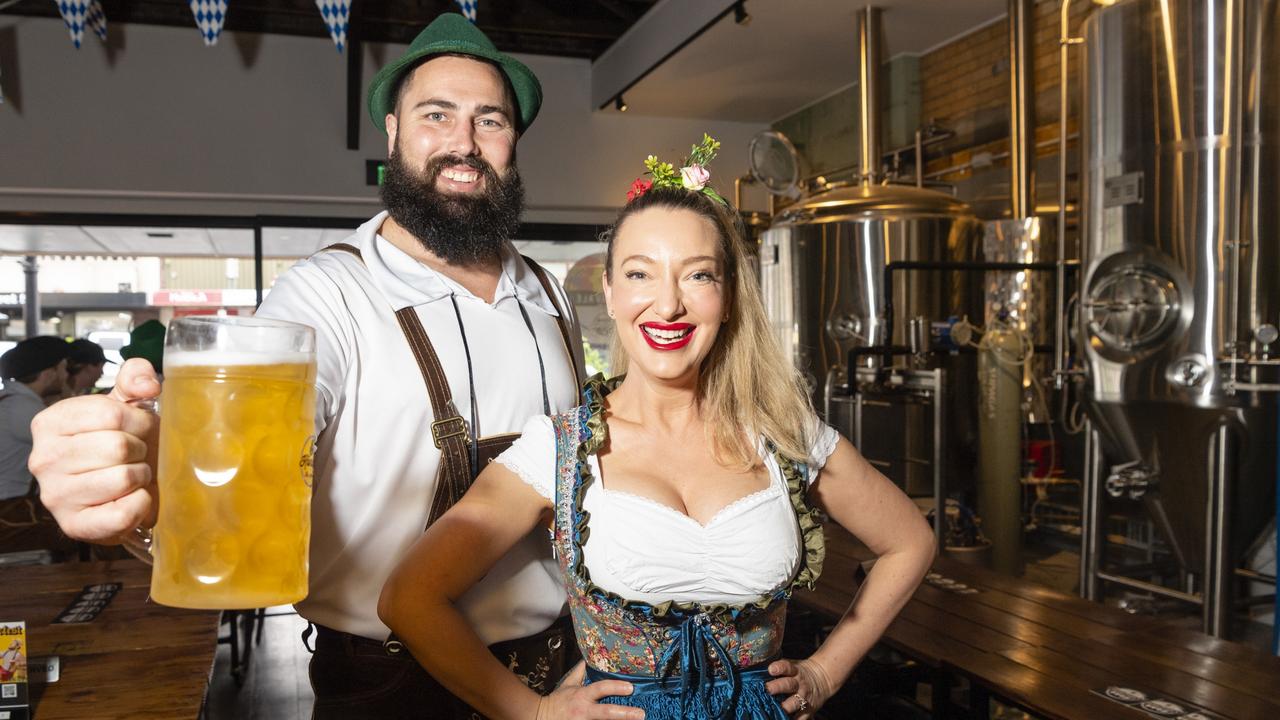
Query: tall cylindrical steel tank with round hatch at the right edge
{"points": [[1182, 147]]}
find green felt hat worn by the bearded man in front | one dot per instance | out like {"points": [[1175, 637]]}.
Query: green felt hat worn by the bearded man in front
{"points": [[451, 33]]}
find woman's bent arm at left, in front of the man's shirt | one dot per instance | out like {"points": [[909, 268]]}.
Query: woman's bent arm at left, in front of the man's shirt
{"points": [[418, 601]]}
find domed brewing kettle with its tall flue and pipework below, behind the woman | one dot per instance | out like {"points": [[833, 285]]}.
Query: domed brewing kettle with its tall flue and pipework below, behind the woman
{"points": [[847, 275]]}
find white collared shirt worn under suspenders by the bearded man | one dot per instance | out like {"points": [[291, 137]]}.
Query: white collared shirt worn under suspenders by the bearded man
{"points": [[376, 463]]}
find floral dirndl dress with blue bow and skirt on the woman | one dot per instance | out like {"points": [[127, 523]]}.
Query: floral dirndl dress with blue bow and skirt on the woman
{"points": [[685, 660]]}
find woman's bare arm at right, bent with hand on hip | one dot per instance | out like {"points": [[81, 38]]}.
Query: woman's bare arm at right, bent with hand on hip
{"points": [[880, 516]]}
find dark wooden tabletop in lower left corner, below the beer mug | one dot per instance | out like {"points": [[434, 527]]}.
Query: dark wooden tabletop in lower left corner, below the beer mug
{"points": [[136, 660]]}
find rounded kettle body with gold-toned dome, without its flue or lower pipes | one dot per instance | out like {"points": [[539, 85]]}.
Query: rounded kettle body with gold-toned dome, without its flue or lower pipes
{"points": [[822, 271]]}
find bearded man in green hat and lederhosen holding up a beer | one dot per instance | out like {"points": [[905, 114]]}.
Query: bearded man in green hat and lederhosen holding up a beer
{"points": [[438, 262]]}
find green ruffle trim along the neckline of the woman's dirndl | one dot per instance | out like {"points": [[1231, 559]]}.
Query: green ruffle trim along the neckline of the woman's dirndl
{"points": [[811, 528]]}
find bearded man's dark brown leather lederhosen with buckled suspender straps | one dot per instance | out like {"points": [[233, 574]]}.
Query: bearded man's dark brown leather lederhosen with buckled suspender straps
{"points": [[542, 659]]}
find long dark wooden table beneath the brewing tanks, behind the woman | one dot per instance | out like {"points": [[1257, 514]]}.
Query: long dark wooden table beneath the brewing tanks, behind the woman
{"points": [[1049, 653]]}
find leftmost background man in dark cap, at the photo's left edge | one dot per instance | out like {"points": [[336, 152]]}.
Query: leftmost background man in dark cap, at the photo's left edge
{"points": [[35, 375]]}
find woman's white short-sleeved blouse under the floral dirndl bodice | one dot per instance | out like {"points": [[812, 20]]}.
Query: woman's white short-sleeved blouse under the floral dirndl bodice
{"points": [[646, 552]]}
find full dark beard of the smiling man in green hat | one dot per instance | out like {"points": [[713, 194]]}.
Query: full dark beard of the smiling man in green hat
{"points": [[461, 230]]}
